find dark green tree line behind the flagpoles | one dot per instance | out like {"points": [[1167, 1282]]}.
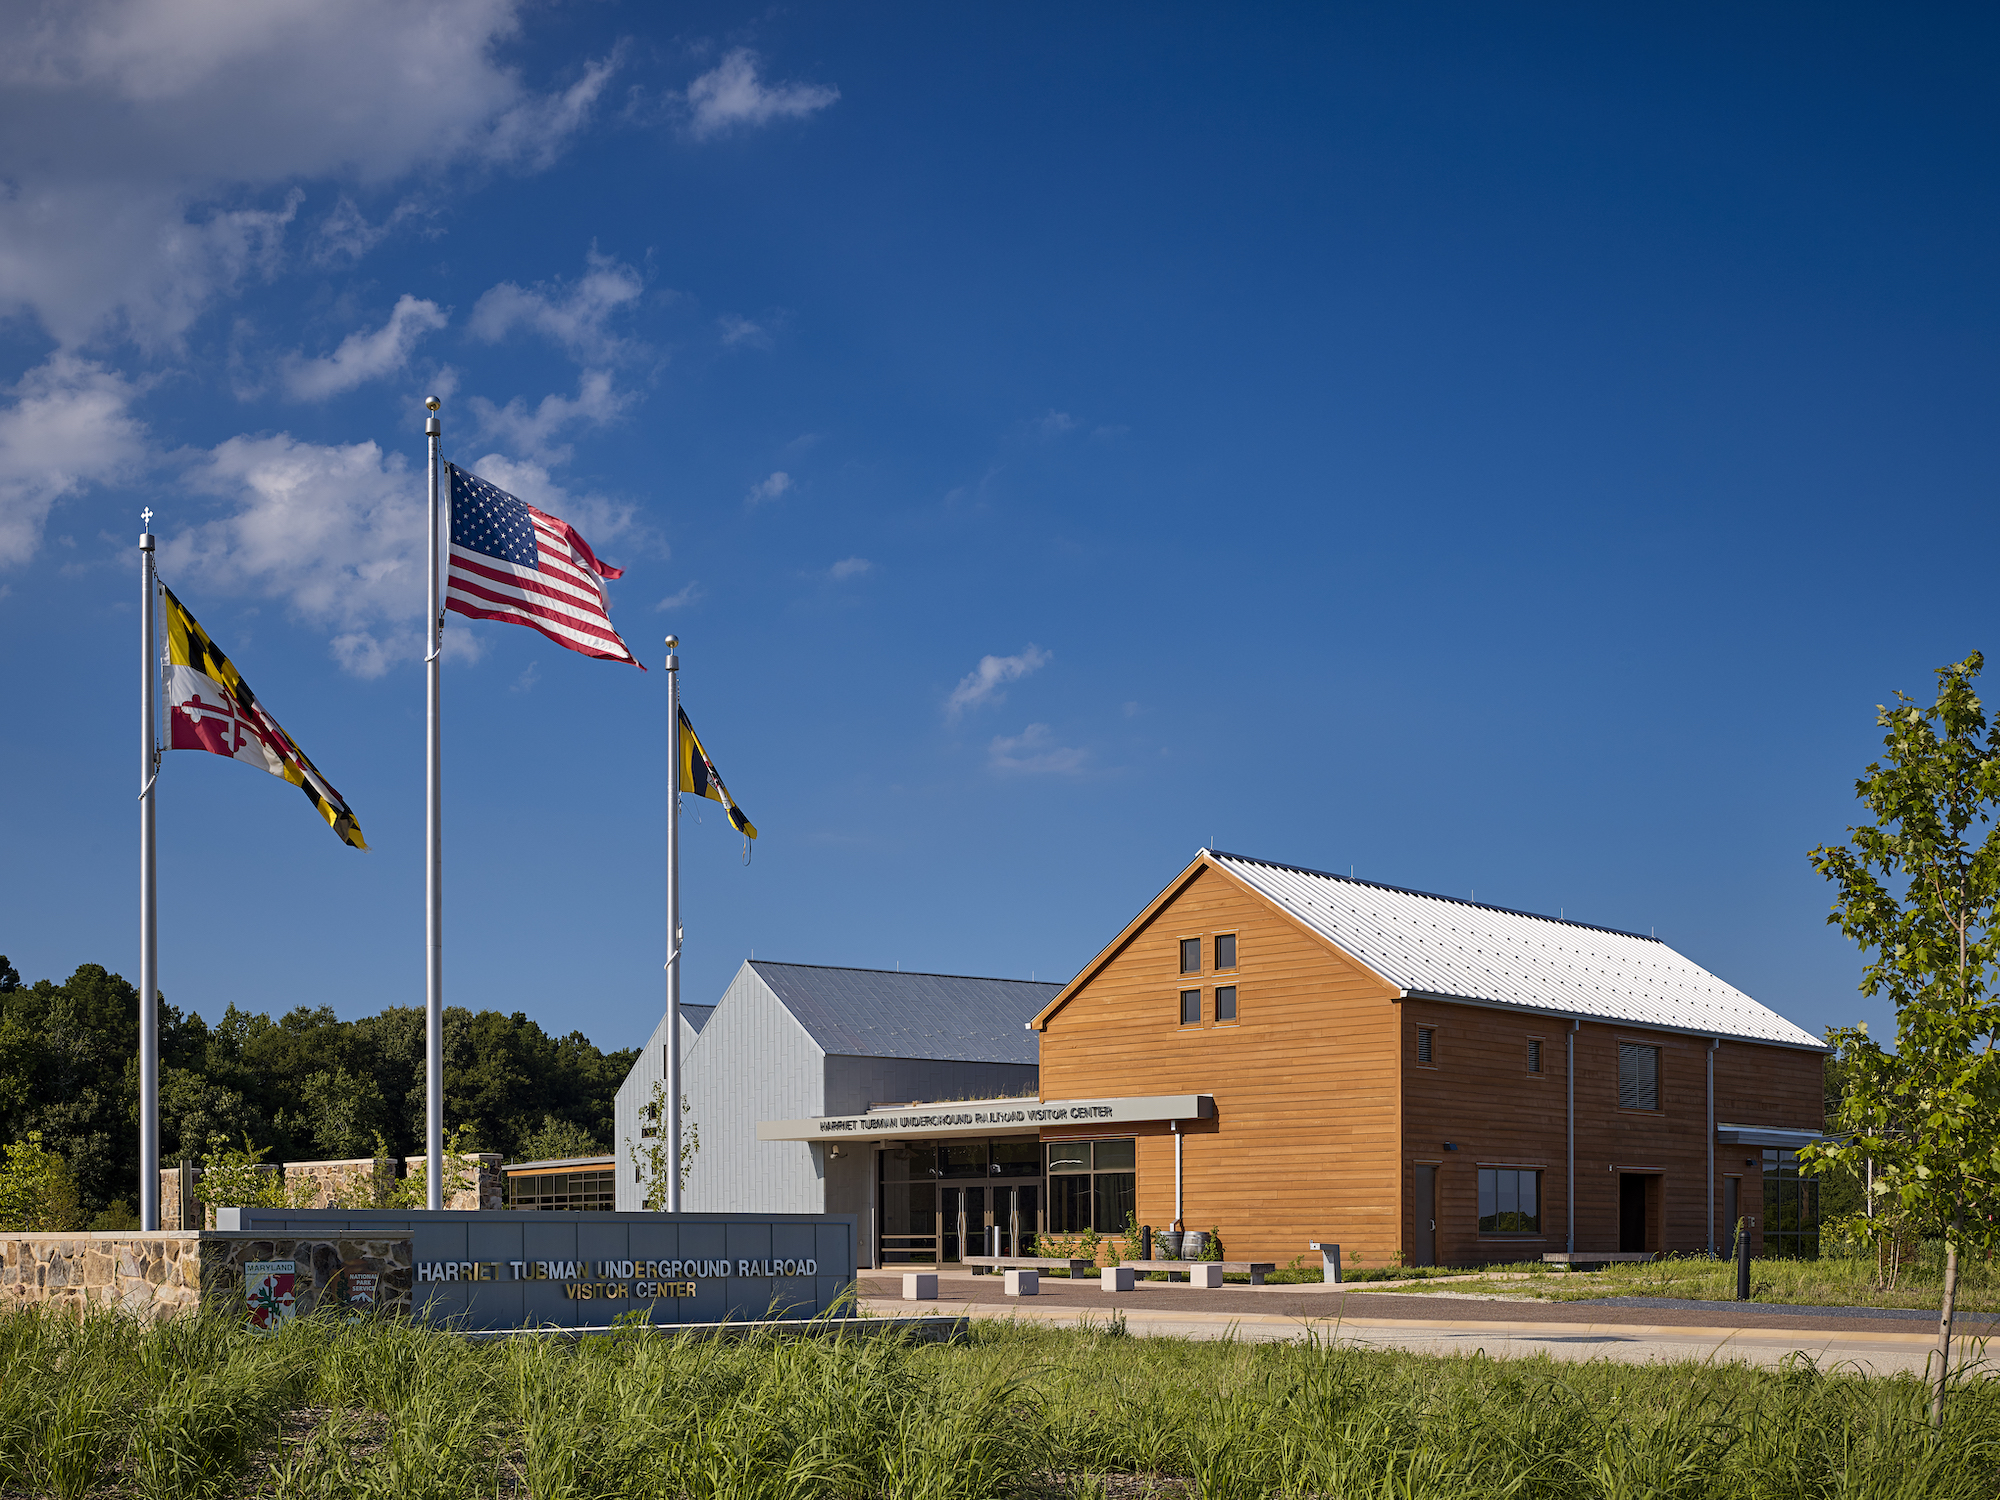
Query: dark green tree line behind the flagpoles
{"points": [[303, 1087]]}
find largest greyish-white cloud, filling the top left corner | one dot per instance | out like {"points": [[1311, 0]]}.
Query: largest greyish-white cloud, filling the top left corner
{"points": [[147, 139]]}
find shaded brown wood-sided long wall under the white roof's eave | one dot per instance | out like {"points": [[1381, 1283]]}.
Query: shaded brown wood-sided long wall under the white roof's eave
{"points": [[1481, 1097]]}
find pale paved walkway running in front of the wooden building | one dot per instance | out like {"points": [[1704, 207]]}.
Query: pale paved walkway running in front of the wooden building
{"points": [[1851, 1339]]}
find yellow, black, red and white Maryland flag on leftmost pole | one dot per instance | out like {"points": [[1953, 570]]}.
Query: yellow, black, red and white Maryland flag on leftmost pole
{"points": [[209, 707]]}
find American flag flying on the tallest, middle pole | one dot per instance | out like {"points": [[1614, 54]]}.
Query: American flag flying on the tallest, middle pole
{"points": [[517, 563]]}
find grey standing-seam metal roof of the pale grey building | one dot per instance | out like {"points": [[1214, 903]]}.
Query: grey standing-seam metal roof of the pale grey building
{"points": [[877, 1013]]}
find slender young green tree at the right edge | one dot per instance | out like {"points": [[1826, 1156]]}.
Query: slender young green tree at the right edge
{"points": [[1917, 889]]}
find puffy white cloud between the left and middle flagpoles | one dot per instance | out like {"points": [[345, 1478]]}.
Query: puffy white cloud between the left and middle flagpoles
{"points": [[337, 533]]}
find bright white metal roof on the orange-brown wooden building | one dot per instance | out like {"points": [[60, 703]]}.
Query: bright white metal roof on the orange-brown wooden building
{"points": [[1489, 955]]}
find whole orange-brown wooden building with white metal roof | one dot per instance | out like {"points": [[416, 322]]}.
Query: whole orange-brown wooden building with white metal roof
{"points": [[1427, 1079]]}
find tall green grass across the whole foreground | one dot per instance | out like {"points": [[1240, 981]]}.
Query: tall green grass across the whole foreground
{"points": [[205, 1409]]}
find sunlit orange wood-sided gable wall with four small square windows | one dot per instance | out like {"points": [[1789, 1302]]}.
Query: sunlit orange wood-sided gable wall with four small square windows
{"points": [[1307, 1085]]}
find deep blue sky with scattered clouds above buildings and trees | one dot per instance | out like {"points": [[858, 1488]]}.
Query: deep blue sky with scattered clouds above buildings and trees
{"points": [[1499, 453]]}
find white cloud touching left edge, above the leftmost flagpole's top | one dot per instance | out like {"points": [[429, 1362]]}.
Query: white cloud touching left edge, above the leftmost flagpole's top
{"points": [[69, 427]]}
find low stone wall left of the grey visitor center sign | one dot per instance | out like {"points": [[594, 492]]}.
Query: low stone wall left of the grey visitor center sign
{"points": [[177, 1271]]}
